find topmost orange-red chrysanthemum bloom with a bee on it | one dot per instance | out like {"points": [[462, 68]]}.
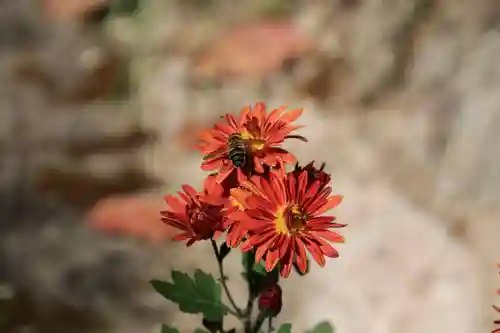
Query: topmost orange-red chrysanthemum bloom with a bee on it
{"points": [[256, 134]]}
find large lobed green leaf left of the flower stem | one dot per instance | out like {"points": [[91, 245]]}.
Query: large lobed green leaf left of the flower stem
{"points": [[199, 295]]}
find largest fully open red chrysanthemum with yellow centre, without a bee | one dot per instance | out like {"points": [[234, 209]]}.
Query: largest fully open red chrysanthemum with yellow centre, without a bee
{"points": [[283, 219]]}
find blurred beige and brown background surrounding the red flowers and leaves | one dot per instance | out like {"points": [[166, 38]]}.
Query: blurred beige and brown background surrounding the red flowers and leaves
{"points": [[101, 101]]}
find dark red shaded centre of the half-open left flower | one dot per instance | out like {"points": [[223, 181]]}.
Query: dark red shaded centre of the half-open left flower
{"points": [[205, 219]]}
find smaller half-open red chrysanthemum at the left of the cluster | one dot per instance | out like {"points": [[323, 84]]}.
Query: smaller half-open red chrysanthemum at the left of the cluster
{"points": [[199, 215]]}
